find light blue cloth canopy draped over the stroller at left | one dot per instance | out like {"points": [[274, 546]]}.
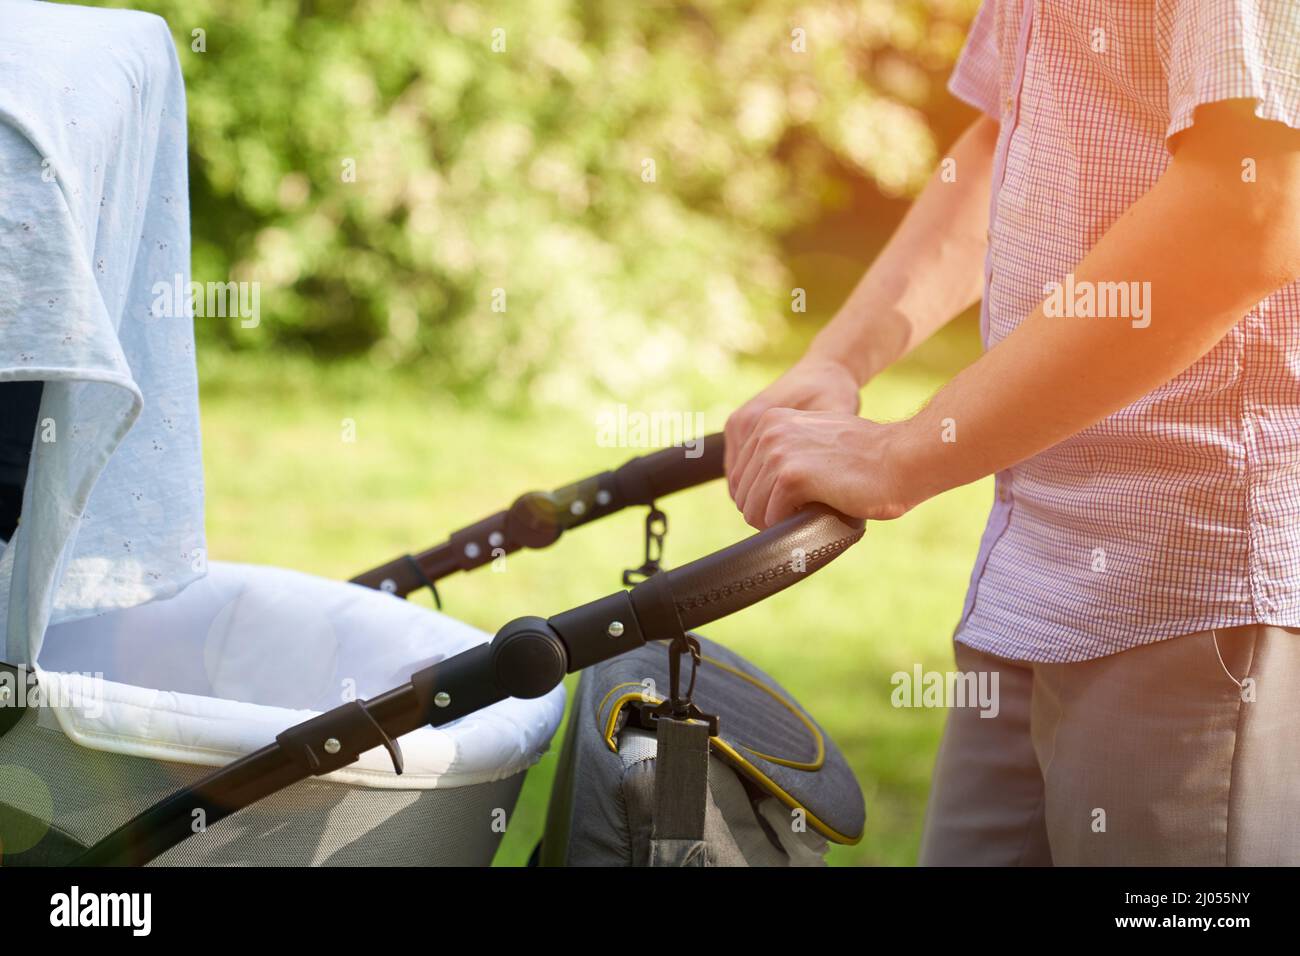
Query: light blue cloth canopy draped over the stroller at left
{"points": [[94, 215]]}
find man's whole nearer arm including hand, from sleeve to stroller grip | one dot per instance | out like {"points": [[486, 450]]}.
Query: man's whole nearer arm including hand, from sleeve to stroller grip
{"points": [[1211, 246]]}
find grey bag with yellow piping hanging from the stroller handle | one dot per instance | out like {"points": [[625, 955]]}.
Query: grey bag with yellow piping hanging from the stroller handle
{"points": [[769, 790]]}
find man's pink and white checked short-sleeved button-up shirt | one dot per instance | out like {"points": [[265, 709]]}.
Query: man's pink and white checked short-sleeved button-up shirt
{"points": [[1182, 512]]}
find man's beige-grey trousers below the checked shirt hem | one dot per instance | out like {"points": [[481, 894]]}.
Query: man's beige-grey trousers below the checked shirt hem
{"points": [[1155, 756]]}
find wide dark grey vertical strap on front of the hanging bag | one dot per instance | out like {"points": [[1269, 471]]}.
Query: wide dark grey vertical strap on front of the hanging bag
{"points": [[681, 793]]}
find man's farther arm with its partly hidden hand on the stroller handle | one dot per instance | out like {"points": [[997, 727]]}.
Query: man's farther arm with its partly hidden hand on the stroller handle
{"points": [[929, 272]]}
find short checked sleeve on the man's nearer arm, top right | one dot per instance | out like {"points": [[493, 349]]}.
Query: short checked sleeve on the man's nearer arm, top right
{"points": [[1225, 50]]}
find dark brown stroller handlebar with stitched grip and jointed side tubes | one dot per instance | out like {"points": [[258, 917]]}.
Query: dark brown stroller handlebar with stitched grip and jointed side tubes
{"points": [[530, 656]]}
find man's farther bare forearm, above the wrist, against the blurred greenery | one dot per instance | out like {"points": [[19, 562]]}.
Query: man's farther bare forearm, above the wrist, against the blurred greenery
{"points": [[929, 272]]}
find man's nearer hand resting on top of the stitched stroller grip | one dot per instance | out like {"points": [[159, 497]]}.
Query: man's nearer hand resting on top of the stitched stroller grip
{"points": [[794, 458]]}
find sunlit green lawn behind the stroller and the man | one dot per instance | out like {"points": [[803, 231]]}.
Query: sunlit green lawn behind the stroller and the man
{"points": [[284, 488]]}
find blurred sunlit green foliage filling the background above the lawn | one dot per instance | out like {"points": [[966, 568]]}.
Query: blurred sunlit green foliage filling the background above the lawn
{"points": [[560, 197]]}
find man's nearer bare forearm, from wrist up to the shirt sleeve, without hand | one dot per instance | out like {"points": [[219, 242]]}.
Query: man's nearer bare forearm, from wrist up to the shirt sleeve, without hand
{"points": [[1211, 248]]}
